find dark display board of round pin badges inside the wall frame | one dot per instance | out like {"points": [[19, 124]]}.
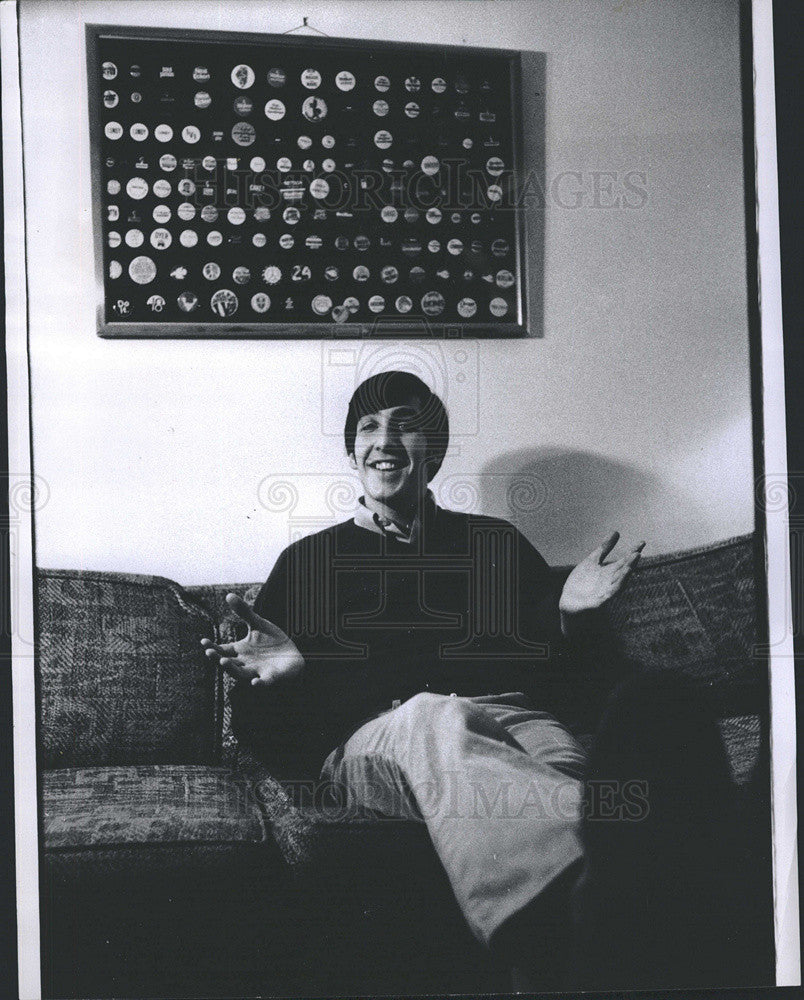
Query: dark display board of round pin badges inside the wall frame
{"points": [[311, 185]]}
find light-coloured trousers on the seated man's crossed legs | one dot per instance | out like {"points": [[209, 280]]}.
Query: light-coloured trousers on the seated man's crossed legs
{"points": [[498, 784]]}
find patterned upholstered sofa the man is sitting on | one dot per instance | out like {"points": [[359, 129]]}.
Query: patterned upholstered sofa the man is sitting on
{"points": [[174, 864]]}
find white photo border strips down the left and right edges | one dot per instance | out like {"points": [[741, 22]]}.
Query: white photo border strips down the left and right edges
{"points": [[21, 485]]}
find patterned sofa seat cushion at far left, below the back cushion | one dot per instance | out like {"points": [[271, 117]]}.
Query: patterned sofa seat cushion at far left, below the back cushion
{"points": [[97, 807]]}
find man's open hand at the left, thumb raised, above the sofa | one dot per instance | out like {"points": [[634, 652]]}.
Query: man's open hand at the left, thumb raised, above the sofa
{"points": [[264, 656]]}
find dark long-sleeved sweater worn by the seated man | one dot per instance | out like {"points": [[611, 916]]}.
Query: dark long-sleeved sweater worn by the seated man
{"points": [[471, 608]]}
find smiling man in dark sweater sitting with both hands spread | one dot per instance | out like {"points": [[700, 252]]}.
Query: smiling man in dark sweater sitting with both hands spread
{"points": [[411, 653]]}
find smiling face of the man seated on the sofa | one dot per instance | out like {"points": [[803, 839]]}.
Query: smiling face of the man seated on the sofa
{"points": [[390, 455]]}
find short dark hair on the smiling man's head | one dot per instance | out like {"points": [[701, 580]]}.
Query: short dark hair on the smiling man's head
{"points": [[395, 388]]}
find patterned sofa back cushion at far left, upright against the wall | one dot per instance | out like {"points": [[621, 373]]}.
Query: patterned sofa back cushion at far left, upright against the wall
{"points": [[123, 679]]}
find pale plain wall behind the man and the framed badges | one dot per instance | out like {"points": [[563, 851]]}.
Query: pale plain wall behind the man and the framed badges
{"points": [[633, 410]]}
